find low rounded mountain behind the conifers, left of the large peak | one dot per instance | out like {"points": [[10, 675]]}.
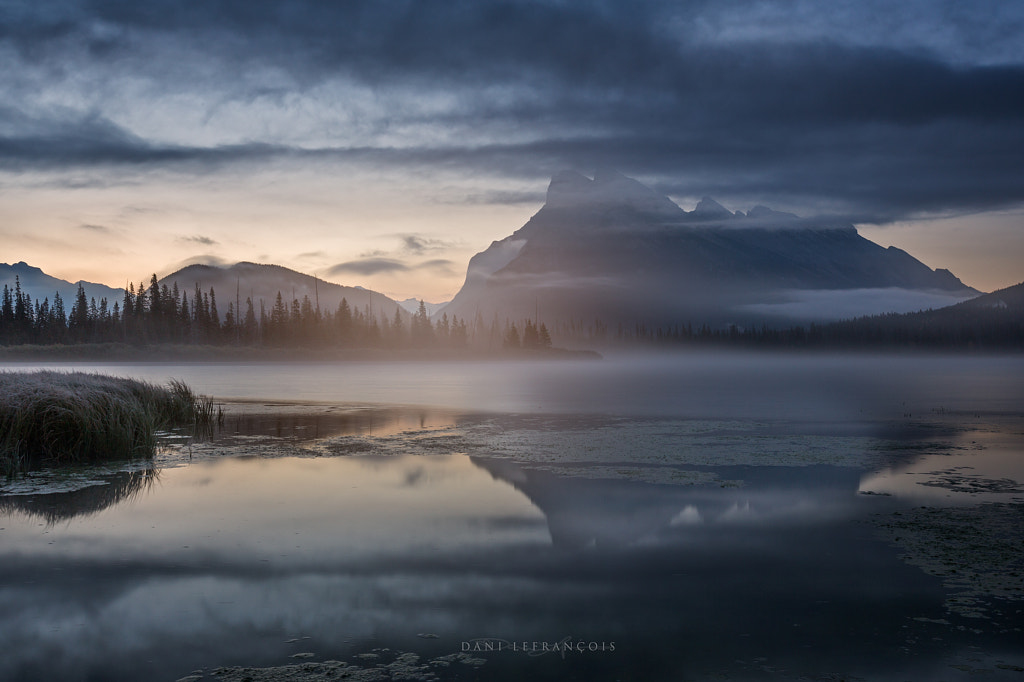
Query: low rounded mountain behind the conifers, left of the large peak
{"points": [[262, 283]]}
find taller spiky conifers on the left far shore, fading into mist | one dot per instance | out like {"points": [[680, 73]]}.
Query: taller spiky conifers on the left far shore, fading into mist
{"points": [[159, 315]]}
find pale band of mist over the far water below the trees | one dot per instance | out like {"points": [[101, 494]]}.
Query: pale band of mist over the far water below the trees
{"points": [[700, 385]]}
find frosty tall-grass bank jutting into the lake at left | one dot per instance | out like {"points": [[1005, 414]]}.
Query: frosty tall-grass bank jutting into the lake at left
{"points": [[52, 418]]}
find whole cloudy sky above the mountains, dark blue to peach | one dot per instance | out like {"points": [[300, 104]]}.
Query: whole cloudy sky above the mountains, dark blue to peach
{"points": [[382, 143]]}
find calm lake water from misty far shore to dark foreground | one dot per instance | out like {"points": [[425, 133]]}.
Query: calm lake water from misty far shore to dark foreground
{"points": [[705, 518]]}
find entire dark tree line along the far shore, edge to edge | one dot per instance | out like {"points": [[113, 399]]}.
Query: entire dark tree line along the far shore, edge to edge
{"points": [[158, 315]]}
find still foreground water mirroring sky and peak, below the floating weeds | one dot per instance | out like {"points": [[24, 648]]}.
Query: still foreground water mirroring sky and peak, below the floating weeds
{"points": [[227, 561]]}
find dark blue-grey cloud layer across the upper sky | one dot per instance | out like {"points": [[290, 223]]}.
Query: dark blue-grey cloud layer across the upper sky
{"points": [[837, 120]]}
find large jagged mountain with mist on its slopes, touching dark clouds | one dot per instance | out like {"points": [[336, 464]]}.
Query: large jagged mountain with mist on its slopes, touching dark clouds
{"points": [[613, 249]]}
